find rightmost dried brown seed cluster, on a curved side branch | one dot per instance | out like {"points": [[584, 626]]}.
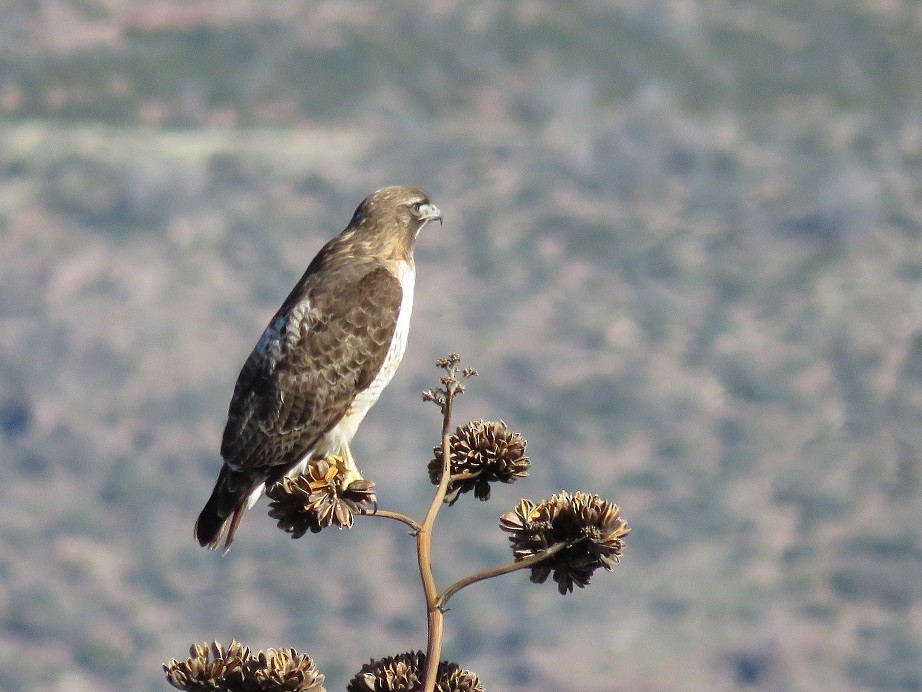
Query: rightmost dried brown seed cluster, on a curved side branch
{"points": [[589, 529]]}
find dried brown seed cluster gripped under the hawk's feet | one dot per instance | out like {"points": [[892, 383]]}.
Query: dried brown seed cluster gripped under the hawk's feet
{"points": [[316, 499]]}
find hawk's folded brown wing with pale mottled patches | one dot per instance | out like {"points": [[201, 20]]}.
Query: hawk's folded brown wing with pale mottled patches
{"points": [[325, 345]]}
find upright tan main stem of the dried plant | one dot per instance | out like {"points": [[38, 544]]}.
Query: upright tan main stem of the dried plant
{"points": [[435, 616]]}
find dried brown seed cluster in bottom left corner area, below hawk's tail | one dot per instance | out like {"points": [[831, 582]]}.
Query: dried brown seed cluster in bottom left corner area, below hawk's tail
{"points": [[234, 669]]}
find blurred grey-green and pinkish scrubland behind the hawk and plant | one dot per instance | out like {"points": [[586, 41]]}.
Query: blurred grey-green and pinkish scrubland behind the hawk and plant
{"points": [[681, 245]]}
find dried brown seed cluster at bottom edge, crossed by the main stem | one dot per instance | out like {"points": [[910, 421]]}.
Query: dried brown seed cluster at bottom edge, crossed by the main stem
{"points": [[404, 673]]}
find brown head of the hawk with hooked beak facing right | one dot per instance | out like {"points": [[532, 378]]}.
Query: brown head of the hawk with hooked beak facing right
{"points": [[394, 216]]}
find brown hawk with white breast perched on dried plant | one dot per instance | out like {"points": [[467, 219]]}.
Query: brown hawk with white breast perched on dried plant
{"points": [[324, 358]]}
